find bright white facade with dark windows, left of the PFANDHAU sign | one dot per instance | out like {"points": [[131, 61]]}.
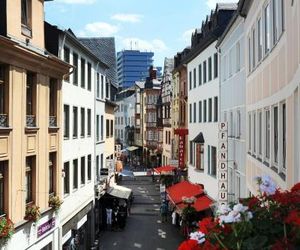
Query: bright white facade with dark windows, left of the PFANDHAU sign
{"points": [[203, 95]]}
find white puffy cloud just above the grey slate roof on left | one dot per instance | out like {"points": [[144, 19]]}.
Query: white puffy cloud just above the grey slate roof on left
{"points": [[99, 29]]}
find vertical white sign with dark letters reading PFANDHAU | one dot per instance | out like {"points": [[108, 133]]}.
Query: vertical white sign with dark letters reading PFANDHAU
{"points": [[223, 163]]}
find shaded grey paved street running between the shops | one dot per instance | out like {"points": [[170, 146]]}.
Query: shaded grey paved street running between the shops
{"points": [[144, 229]]}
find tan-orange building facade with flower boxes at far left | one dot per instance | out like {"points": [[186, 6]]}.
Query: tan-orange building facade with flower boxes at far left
{"points": [[30, 127]]}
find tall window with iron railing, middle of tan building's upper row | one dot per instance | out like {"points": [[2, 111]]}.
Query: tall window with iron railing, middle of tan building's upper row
{"points": [[30, 100]]}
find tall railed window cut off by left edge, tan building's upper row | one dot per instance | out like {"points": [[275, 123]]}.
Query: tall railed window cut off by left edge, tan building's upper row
{"points": [[3, 97]]}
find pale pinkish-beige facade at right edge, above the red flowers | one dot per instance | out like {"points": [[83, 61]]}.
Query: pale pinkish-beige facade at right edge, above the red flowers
{"points": [[272, 91]]}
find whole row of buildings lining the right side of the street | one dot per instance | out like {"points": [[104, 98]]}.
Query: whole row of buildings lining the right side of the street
{"points": [[242, 68]]}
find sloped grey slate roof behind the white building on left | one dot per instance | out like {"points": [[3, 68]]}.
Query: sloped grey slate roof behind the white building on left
{"points": [[104, 48]]}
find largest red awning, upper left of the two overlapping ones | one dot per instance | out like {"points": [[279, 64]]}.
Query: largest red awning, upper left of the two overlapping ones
{"points": [[184, 189]]}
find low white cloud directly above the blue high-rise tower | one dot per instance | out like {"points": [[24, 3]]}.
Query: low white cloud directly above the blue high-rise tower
{"points": [[155, 45]]}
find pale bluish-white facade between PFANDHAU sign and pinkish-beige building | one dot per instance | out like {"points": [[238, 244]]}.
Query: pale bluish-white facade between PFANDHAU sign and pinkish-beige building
{"points": [[232, 103]]}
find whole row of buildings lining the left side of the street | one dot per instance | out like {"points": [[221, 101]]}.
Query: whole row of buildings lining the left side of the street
{"points": [[56, 129]]}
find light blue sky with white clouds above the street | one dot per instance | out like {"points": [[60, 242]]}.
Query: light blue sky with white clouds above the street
{"points": [[163, 27]]}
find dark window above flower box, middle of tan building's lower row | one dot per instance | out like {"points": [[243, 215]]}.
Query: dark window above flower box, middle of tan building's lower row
{"points": [[29, 178]]}
